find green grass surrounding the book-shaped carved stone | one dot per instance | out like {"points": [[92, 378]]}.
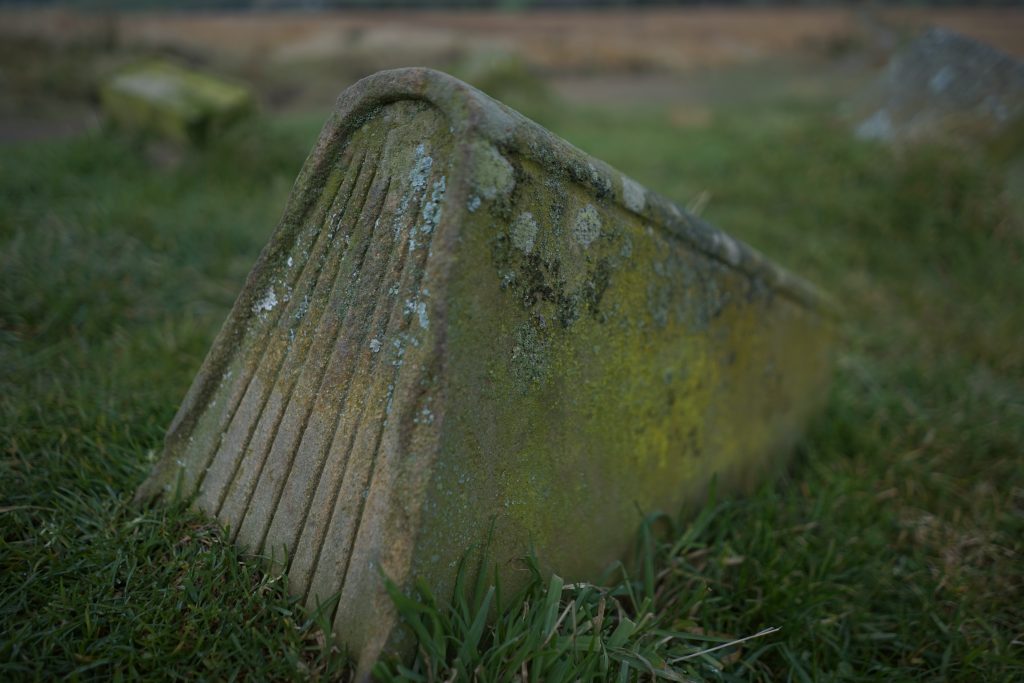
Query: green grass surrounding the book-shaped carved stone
{"points": [[890, 550]]}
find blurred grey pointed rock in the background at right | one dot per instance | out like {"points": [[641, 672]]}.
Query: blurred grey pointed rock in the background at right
{"points": [[943, 83]]}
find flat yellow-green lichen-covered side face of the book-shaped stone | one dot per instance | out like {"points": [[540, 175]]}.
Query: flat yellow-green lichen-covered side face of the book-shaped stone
{"points": [[606, 369]]}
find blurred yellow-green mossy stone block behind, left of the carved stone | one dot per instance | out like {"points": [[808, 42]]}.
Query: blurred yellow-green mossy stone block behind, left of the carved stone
{"points": [[167, 100]]}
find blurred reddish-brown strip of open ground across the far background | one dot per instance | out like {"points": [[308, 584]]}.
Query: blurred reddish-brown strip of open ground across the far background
{"points": [[581, 40]]}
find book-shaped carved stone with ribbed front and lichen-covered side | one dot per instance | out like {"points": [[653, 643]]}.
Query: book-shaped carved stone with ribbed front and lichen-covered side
{"points": [[463, 323]]}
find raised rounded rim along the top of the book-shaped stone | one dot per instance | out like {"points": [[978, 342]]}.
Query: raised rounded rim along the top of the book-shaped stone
{"points": [[473, 112]]}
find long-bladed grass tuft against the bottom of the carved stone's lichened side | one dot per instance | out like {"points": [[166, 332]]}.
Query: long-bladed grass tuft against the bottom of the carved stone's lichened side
{"points": [[552, 631]]}
